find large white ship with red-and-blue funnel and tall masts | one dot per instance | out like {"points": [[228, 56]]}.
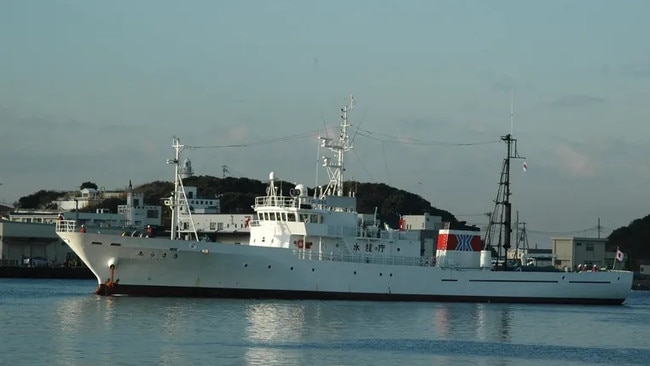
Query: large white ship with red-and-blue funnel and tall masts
{"points": [[317, 247]]}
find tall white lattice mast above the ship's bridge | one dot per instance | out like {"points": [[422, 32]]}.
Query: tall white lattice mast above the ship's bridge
{"points": [[335, 169]]}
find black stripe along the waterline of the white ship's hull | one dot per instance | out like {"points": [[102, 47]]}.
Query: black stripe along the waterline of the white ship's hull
{"points": [[168, 291]]}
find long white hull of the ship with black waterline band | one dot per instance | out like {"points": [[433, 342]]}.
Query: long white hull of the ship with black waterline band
{"points": [[163, 267]]}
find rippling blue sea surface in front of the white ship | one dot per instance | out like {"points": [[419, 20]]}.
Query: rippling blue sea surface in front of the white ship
{"points": [[60, 322]]}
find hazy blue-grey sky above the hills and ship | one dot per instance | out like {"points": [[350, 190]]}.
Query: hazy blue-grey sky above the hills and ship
{"points": [[95, 91]]}
